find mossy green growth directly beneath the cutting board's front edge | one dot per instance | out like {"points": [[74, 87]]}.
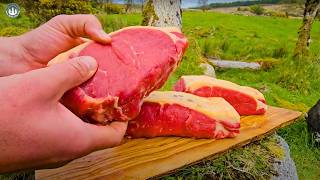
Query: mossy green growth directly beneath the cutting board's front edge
{"points": [[253, 161]]}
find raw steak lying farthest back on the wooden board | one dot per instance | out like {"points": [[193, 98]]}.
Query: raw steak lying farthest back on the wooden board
{"points": [[246, 100]]}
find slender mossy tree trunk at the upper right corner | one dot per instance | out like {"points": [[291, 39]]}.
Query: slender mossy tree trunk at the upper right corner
{"points": [[310, 12]]}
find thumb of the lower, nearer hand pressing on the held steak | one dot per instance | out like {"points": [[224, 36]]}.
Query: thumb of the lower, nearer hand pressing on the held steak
{"points": [[55, 80]]}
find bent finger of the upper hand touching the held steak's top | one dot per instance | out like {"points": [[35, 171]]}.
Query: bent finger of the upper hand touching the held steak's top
{"points": [[80, 25]]}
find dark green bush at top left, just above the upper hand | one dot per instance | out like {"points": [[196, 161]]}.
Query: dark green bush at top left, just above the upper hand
{"points": [[43, 10]]}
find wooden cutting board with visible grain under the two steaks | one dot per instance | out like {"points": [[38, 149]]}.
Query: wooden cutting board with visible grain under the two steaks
{"points": [[144, 158]]}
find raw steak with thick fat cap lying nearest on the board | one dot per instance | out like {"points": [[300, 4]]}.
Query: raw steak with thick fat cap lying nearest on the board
{"points": [[171, 113]]}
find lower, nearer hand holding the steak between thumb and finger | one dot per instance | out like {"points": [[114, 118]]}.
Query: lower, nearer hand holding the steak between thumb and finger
{"points": [[36, 130]]}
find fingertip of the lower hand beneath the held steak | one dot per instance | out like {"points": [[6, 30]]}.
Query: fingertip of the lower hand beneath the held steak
{"points": [[102, 137]]}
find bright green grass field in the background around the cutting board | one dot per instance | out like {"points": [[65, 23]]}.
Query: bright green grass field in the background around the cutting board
{"points": [[291, 83]]}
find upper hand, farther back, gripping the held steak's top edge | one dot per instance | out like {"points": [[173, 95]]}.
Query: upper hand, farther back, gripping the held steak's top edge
{"points": [[36, 48]]}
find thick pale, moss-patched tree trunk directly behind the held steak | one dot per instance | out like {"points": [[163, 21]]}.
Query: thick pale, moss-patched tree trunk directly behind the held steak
{"points": [[162, 13]]}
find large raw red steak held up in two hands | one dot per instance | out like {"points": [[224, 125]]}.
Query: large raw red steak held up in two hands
{"points": [[138, 61]]}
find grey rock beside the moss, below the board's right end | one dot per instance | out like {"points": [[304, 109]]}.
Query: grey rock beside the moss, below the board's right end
{"points": [[285, 168]]}
